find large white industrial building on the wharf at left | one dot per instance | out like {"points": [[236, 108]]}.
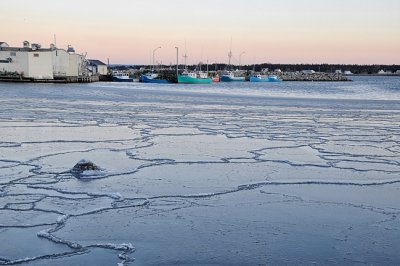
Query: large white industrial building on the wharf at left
{"points": [[34, 62]]}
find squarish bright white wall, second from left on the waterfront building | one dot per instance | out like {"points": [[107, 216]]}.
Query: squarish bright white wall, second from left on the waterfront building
{"points": [[40, 64]]}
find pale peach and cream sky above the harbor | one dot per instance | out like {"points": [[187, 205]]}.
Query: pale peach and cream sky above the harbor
{"points": [[285, 31]]}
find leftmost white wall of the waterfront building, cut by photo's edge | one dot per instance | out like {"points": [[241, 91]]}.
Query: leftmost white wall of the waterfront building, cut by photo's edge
{"points": [[19, 61]]}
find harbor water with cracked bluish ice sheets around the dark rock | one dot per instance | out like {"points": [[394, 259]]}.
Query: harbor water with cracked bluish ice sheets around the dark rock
{"points": [[221, 174]]}
